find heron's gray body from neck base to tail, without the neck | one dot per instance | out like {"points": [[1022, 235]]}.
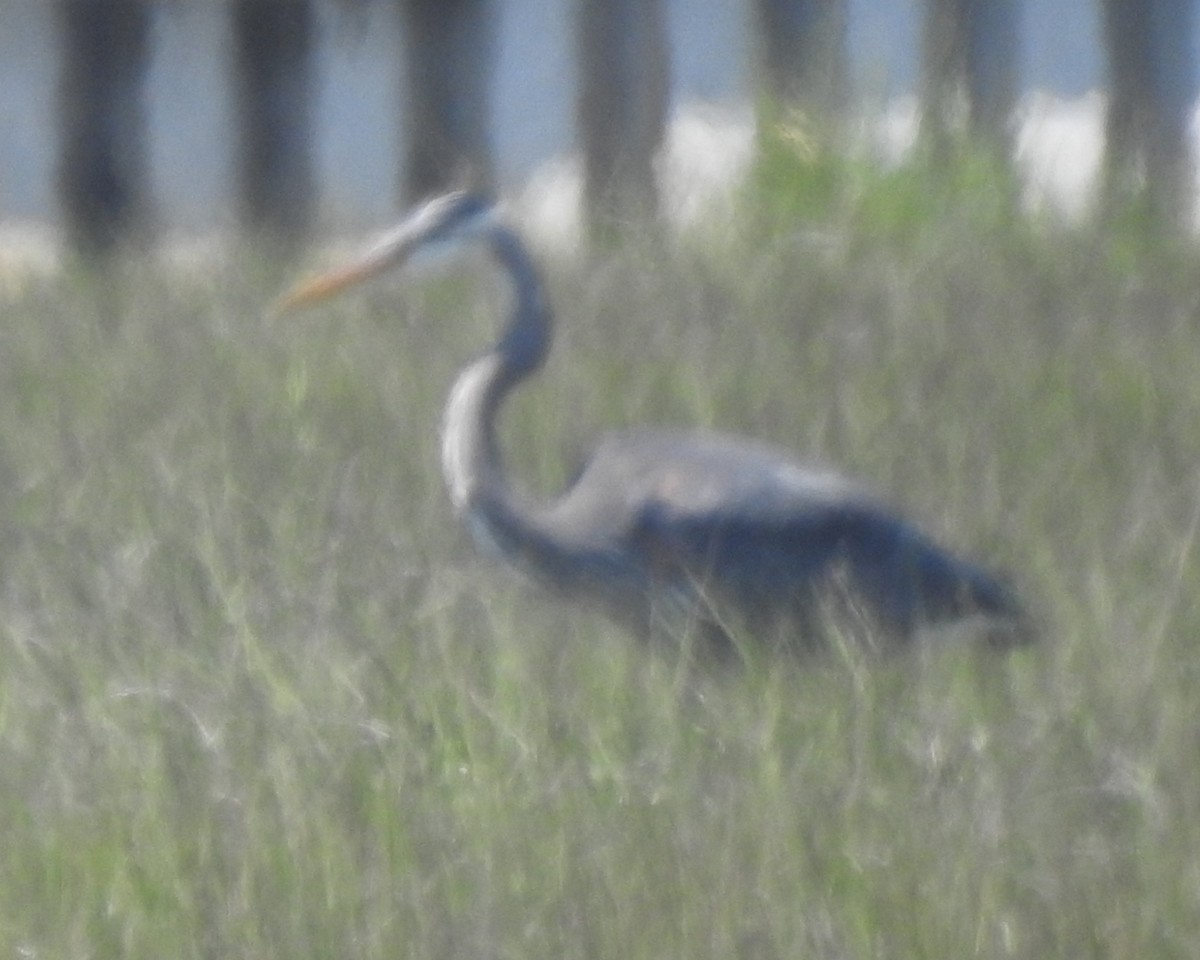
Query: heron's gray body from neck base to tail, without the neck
{"points": [[700, 531]]}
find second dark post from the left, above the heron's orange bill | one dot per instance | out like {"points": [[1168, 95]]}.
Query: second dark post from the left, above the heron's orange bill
{"points": [[273, 70]]}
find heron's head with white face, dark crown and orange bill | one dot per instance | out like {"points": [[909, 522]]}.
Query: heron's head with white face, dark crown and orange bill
{"points": [[441, 225]]}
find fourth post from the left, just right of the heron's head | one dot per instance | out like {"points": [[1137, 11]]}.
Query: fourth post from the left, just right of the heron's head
{"points": [[625, 88]]}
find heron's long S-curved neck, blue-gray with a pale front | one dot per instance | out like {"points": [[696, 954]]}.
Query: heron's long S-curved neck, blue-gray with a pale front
{"points": [[471, 457]]}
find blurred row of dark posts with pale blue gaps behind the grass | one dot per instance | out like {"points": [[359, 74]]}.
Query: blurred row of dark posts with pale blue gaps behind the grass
{"points": [[291, 116]]}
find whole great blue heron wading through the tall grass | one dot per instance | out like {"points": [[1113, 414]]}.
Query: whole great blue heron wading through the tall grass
{"points": [[674, 526]]}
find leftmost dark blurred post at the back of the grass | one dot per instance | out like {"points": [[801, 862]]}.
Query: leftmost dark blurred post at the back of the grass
{"points": [[103, 165]]}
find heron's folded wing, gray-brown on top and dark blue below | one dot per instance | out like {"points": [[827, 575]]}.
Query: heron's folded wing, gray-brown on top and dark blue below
{"points": [[758, 527]]}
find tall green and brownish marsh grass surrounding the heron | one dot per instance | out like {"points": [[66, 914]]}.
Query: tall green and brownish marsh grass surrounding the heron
{"points": [[259, 699]]}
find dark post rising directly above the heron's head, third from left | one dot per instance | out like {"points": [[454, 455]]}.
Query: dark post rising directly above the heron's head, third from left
{"points": [[448, 46]]}
